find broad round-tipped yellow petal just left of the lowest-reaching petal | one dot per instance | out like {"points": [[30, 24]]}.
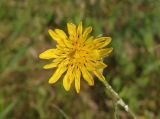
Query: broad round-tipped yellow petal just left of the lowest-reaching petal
{"points": [[68, 79]]}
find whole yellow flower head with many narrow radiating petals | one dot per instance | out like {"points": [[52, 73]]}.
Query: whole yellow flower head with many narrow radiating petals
{"points": [[76, 54]]}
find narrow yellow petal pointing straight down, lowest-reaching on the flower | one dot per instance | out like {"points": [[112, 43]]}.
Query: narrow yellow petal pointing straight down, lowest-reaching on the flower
{"points": [[77, 74]]}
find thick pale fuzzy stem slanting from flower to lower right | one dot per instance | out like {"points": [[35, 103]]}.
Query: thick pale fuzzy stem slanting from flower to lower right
{"points": [[118, 99]]}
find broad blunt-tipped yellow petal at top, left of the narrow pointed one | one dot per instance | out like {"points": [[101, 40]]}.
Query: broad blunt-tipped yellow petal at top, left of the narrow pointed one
{"points": [[71, 29]]}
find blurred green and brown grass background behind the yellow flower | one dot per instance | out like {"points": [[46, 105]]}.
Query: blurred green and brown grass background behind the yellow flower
{"points": [[134, 65]]}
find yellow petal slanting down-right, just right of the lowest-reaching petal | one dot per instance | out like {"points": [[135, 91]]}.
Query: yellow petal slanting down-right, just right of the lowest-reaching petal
{"points": [[87, 76]]}
